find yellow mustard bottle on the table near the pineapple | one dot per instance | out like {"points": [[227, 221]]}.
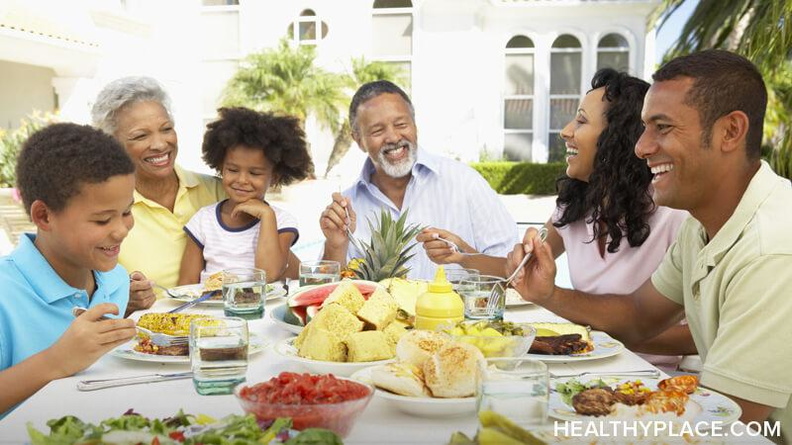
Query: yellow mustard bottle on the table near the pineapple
{"points": [[439, 305]]}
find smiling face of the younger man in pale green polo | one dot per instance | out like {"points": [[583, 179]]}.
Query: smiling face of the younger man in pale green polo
{"points": [[685, 171]]}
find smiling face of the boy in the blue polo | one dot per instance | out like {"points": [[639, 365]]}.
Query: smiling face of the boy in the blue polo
{"points": [[86, 235]]}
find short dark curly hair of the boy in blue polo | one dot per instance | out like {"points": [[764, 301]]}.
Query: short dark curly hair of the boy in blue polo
{"points": [[56, 160]]}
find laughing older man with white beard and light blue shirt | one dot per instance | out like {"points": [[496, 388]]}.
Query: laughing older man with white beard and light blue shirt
{"points": [[447, 196]]}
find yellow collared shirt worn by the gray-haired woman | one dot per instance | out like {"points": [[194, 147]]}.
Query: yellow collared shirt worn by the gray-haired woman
{"points": [[156, 244]]}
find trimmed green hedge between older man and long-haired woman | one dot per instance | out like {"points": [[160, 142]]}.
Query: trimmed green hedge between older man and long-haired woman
{"points": [[513, 178]]}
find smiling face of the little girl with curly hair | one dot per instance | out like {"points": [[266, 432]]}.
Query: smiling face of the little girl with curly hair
{"points": [[247, 174]]}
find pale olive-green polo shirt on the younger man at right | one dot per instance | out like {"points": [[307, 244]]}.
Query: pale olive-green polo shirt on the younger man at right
{"points": [[737, 293]]}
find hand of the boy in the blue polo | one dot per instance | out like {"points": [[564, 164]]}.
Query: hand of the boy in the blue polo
{"points": [[88, 338]]}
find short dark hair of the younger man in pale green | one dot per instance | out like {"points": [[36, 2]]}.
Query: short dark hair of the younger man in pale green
{"points": [[722, 82]]}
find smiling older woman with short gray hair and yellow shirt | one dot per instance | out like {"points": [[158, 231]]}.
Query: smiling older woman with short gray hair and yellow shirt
{"points": [[136, 111]]}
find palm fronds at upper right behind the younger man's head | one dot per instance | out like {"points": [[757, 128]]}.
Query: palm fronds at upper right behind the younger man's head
{"points": [[760, 30]]}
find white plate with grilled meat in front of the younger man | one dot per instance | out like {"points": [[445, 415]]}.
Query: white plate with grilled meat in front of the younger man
{"points": [[704, 406]]}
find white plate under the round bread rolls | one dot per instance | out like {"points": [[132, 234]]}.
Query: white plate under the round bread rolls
{"points": [[421, 406]]}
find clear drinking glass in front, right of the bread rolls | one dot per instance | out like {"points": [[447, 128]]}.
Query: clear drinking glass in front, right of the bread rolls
{"points": [[516, 388]]}
